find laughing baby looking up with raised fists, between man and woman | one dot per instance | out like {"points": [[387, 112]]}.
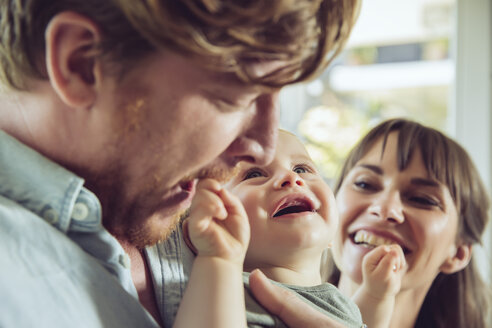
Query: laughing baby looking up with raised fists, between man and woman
{"points": [[279, 219]]}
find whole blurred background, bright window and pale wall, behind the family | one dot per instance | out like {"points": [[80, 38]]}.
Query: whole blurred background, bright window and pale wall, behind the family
{"points": [[427, 60]]}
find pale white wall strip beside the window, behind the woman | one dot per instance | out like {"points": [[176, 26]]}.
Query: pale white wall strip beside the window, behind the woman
{"points": [[471, 118]]}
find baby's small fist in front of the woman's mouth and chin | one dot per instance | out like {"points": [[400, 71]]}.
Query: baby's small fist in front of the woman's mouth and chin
{"points": [[382, 271]]}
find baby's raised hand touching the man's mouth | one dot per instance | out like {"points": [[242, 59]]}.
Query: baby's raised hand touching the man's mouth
{"points": [[218, 225]]}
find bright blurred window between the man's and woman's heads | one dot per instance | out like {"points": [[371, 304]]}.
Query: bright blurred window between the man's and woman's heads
{"points": [[396, 64]]}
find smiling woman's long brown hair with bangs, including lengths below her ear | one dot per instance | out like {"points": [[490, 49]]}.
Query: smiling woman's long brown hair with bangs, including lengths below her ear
{"points": [[461, 299]]}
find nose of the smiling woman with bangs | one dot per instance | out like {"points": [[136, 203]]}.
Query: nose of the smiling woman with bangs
{"points": [[388, 207]]}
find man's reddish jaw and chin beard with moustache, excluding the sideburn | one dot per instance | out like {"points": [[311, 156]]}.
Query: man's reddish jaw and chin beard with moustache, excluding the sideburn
{"points": [[141, 221]]}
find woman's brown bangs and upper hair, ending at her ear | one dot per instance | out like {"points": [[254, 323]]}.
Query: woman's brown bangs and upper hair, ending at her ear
{"points": [[444, 160]]}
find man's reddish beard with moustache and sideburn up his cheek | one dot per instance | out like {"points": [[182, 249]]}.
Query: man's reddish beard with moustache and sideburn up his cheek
{"points": [[140, 220]]}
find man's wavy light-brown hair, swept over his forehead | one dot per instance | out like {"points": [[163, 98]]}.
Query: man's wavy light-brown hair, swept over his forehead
{"points": [[225, 35]]}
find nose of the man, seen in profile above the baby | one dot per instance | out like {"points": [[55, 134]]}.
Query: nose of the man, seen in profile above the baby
{"points": [[257, 144]]}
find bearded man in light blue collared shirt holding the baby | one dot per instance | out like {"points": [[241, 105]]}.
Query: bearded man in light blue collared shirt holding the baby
{"points": [[111, 111]]}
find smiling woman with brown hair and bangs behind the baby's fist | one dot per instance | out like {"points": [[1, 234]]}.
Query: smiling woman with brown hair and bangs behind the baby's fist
{"points": [[410, 185]]}
